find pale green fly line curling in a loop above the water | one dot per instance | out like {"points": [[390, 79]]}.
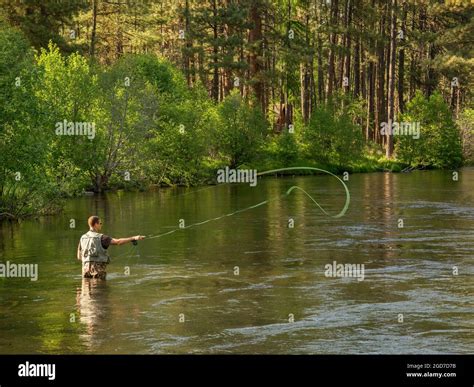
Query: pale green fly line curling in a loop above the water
{"points": [[287, 193]]}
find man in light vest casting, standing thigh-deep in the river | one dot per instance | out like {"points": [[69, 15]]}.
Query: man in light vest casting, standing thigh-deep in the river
{"points": [[92, 249]]}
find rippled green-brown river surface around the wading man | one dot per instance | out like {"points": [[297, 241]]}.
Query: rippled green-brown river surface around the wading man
{"points": [[190, 274]]}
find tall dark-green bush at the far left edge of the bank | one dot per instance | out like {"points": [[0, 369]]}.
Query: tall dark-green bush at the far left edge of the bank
{"points": [[24, 186]]}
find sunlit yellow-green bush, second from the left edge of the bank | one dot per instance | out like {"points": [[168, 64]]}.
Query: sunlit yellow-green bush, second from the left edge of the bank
{"points": [[67, 89]]}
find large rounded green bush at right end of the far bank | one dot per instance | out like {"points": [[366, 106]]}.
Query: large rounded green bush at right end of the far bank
{"points": [[439, 144]]}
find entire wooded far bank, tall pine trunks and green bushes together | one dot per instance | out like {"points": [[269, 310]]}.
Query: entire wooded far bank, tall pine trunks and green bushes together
{"points": [[102, 95]]}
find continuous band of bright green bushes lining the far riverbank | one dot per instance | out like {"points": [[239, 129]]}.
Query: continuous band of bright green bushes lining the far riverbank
{"points": [[158, 130]]}
